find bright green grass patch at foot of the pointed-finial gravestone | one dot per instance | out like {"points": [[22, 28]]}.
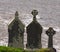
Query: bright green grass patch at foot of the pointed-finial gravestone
{"points": [[10, 49]]}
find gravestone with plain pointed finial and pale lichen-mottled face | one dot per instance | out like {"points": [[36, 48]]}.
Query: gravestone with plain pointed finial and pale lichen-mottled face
{"points": [[16, 32]]}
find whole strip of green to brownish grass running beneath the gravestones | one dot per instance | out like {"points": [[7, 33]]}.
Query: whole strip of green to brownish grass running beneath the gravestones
{"points": [[11, 49]]}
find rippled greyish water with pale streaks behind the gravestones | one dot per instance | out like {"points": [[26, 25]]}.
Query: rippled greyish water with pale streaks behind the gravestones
{"points": [[48, 16]]}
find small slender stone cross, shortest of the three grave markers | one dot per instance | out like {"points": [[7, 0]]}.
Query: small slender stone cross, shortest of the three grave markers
{"points": [[50, 32]]}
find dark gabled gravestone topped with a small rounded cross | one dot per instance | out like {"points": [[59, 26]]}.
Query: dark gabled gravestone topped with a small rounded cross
{"points": [[34, 30]]}
